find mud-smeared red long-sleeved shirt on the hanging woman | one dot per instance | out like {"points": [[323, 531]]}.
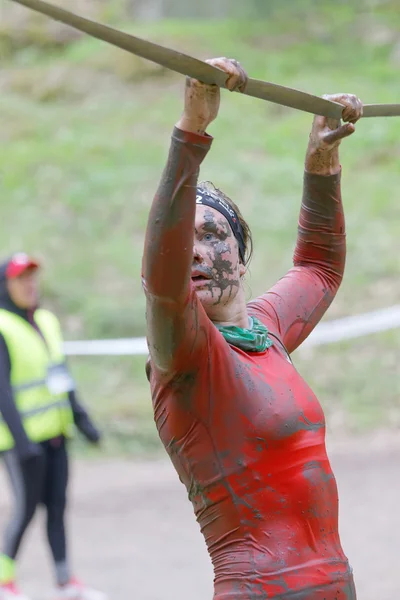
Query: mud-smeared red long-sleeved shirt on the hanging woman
{"points": [[244, 431]]}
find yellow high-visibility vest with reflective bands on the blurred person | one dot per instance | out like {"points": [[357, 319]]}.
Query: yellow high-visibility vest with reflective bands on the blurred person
{"points": [[39, 378]]}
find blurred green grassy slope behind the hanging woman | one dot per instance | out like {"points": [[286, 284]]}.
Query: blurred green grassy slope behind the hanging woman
{"points": [[84, 133]]}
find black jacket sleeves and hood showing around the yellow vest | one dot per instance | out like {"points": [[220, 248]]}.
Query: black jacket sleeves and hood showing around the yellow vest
{"points": [[24, 447]]}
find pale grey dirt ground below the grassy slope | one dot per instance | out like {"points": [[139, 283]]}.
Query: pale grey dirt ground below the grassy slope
{"points": [[134, 536]]}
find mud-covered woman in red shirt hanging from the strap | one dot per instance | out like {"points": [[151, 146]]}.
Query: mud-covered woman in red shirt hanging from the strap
{"points": [[244, 431]]}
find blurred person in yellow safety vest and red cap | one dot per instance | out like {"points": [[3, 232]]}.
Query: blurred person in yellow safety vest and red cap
{"points": [[38, 410]]}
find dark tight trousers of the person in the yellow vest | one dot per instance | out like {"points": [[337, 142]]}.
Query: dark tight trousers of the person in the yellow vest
{"points": [[40, 480]]}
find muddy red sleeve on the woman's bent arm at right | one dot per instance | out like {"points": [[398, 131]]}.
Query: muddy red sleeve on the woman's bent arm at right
{"points": [[297, 302]]}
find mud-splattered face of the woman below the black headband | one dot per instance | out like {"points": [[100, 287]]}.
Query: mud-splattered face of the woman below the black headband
{"points": [[216, 269]]}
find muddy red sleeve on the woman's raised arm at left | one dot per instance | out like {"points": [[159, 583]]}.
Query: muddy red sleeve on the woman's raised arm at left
{"points": [[173, 313]]}
